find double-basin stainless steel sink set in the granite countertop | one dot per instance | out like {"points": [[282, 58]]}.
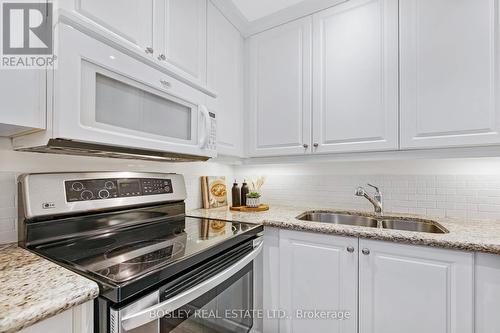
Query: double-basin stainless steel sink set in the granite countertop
{"points": [[385, 222]]}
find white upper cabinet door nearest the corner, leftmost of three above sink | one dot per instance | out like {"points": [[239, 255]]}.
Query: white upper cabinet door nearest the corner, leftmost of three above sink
{"points": [[280, 90]]}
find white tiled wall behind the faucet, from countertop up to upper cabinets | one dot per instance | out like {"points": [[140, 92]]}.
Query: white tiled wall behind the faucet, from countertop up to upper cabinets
{"points": [[461, 188]]}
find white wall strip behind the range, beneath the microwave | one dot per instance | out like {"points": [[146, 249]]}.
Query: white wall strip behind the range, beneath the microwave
{"points": [[14, 163]]}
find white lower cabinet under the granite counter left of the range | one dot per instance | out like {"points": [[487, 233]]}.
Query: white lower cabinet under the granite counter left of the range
{"points": [[79, 319]]}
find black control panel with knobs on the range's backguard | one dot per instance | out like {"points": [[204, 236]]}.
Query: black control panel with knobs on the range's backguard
{"points": [[100, 189]]}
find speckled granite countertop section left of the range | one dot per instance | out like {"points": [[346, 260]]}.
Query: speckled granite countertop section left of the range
{"points": [[33, 289]]}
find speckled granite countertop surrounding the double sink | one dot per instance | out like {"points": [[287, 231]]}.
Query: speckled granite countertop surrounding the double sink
{"points": [[467, 235]]}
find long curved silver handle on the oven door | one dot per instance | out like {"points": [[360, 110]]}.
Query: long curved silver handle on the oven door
{"points": [[138, 319]]}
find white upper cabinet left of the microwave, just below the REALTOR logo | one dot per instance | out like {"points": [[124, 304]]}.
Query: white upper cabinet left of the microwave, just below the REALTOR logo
{"points": [[23, 96]]}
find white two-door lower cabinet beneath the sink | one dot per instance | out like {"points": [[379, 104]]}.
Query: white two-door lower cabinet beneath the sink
{"points": [[387, 287]]}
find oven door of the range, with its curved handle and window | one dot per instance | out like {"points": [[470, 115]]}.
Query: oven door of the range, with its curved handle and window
{"points": [[217, 297]]}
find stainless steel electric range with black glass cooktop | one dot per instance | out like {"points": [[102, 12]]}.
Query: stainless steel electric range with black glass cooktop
{"points": [[157, 270]]}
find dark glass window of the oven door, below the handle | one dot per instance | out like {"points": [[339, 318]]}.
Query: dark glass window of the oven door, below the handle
{"points": [[226, 308]]}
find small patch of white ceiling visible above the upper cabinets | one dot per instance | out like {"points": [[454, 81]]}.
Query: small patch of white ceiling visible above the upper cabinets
{"points": [[253, 10]]}
